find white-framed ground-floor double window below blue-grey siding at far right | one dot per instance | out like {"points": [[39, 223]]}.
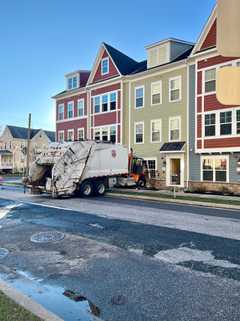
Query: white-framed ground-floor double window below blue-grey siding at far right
{"points": [[215, 169]]}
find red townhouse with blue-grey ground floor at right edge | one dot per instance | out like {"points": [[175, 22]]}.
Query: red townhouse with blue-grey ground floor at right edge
{"points": [[214, 129]]}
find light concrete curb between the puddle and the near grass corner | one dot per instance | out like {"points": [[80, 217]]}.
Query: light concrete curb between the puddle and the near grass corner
{"points": [[27, 303]]}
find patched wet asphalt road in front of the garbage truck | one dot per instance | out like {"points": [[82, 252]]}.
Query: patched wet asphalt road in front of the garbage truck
{"points": [[136, 261]]}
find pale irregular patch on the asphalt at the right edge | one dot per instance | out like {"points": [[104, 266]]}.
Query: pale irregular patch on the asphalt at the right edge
{"points": [[184, 254]]}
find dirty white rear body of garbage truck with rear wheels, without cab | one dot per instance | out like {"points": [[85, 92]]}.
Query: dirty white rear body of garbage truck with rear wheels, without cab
{"points": [[77, 168]]}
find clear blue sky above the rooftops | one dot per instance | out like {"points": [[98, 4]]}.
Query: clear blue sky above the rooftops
{"points": [[42, 40]]}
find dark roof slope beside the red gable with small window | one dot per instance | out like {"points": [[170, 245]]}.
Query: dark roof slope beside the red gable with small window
{"points": [[124, 63]]}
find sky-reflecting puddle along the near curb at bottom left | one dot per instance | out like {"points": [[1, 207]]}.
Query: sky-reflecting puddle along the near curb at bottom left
{"points": [[51, 297]]}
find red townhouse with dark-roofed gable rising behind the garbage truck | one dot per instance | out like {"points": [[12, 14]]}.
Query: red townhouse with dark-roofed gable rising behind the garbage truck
{"points": [[92, 105]]}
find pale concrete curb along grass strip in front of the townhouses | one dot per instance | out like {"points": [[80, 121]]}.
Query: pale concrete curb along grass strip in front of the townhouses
{"points": [[174, 201]]}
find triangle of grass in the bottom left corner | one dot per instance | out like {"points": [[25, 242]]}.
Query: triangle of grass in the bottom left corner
{"points": [[10, 311]]}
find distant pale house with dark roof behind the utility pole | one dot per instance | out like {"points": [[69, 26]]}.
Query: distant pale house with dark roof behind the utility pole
{"points": [[13, 147]]}
